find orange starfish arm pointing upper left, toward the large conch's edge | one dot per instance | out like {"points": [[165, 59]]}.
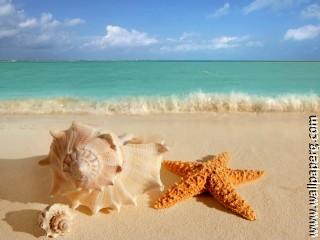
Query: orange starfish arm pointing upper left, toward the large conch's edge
{"points": [[180, 168]]}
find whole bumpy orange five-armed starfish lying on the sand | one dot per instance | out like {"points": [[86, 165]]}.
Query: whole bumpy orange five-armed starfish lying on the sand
{"points": [[213, 176]]}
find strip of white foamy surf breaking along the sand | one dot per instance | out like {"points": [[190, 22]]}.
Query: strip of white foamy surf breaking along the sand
{"points": [[196, 102]]}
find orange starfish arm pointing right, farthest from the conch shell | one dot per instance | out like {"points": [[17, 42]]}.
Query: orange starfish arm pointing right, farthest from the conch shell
{"points": [[242, 176]]}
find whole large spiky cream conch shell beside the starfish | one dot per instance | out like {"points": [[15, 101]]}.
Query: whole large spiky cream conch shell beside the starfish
{"points": [[103, 170]]}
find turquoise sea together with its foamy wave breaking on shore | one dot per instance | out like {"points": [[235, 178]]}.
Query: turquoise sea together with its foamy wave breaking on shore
{"points": [[142, 87]]}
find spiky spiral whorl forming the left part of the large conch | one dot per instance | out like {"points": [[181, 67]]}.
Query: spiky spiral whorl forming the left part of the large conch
{"points": [[83, 158]]}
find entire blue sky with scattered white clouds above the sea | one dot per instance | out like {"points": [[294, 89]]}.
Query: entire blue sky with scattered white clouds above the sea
{"points": [[160, 30]]}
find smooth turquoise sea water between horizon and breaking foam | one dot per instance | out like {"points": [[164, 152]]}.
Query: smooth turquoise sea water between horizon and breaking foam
{"points": [[113, 79]]}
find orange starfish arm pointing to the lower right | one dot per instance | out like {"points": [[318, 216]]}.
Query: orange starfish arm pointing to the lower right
{"points": [[223, 191]]}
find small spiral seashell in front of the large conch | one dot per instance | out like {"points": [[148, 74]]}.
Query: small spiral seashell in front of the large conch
{"points": [[56, 220]]}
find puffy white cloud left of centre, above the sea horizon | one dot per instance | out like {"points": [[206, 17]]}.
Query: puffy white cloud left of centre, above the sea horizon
{"points": [[120, 37]]}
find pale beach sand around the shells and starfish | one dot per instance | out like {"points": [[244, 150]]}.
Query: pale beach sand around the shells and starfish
{"points": [[274, 142]]}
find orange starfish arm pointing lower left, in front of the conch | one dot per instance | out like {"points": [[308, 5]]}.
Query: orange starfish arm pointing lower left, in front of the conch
{"points": [[186, 188]]}
